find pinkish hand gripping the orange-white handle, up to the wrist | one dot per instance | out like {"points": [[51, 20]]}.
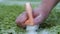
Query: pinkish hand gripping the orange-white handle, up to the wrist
{"points": [[38, 15]]}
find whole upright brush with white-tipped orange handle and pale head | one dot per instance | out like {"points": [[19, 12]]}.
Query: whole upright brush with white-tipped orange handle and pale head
{"points": [[30, 28]]}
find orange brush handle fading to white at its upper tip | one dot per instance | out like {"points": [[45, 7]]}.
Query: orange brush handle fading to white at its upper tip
{"points": [[29, 12]]}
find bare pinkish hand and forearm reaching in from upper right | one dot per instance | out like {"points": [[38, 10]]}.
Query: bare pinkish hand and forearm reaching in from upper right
{"points": [[40, 13]]}
